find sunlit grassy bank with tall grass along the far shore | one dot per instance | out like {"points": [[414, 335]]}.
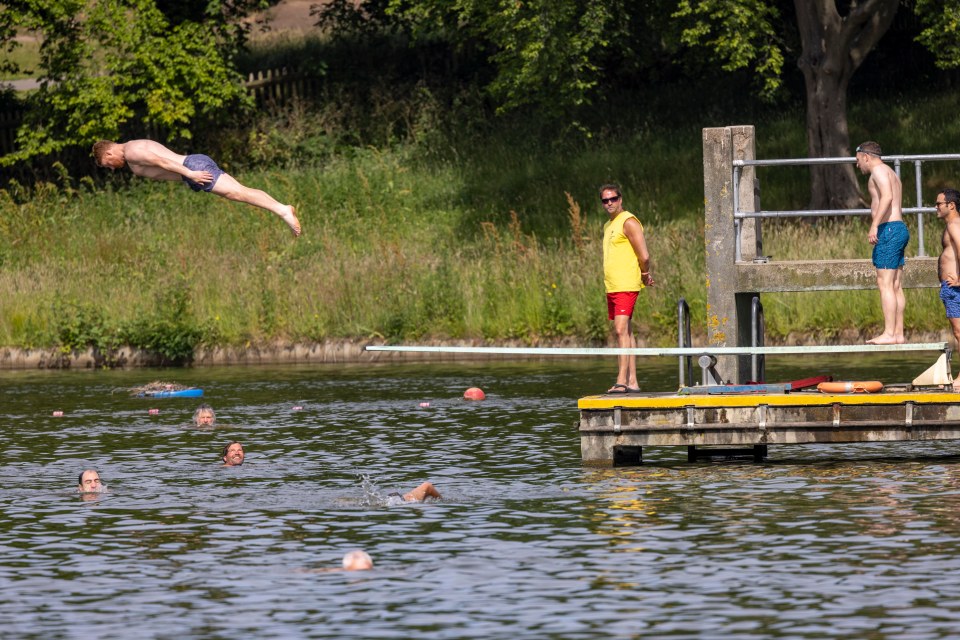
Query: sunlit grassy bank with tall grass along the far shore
{"points": [[493, 236]]}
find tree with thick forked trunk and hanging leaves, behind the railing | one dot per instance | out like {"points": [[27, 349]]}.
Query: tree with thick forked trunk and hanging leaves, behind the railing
{"points": [[836, 37]]}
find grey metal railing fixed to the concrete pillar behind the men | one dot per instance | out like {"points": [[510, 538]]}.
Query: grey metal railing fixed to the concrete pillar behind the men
{"points": [[918, 209]]}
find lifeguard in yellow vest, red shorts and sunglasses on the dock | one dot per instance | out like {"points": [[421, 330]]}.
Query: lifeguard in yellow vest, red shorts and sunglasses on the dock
{"points": [[626, 270]]}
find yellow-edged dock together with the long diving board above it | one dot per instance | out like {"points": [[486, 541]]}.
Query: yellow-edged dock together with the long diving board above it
{"points": [[744, 419]]}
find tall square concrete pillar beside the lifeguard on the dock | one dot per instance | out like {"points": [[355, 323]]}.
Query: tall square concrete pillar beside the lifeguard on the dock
{"points": [[728, 308]]}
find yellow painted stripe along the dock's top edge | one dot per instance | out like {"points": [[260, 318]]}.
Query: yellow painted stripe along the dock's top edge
{"points": [[753, 400]]}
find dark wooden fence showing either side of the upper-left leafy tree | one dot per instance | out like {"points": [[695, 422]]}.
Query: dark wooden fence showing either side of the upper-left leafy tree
{"points": [[270, 89]]}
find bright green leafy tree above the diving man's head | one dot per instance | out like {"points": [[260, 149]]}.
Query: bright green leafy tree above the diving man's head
{"points": [[108, 66]]}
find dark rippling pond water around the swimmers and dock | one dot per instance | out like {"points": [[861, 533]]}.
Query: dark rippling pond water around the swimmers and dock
{"points": [[841, 541]]}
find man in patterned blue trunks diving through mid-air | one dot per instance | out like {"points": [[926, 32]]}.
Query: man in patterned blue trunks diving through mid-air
{"points": [[149, 159]]}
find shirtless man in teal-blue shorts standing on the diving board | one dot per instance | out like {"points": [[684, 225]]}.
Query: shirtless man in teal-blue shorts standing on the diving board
{"points": [[889, 237]]}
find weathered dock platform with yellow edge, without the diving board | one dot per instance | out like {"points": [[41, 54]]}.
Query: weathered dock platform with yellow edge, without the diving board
{"points": [[615, 428]]}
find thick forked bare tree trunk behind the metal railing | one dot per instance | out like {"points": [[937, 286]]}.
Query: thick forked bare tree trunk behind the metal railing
{"points": [[833, 49]]}
